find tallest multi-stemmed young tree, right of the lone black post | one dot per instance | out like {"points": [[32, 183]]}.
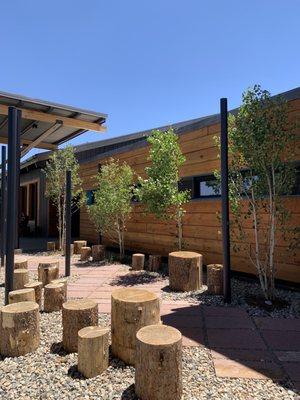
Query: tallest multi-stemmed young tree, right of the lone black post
{"points": [[261, 146]]}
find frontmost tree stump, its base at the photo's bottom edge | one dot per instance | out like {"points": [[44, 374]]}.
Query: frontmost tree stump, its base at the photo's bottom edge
{"points": [[158, 367]]}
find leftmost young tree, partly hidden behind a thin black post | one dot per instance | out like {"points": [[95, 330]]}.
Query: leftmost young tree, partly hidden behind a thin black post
{"points": [[59, 162]]}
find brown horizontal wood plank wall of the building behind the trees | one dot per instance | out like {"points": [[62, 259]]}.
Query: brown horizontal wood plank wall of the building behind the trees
{"points": [[202, 231]]}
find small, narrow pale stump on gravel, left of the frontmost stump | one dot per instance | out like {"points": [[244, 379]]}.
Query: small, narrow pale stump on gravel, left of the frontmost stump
{"points": [[93, 354]]}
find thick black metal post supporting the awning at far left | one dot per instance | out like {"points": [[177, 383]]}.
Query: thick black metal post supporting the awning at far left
{"points": [[13, 115]]}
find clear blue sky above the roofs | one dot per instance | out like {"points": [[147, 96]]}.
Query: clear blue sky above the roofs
{"points": [[147, 63]]}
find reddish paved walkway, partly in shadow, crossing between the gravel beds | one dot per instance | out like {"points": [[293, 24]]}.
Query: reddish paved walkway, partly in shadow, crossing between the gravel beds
{"points": [[240, 346]]}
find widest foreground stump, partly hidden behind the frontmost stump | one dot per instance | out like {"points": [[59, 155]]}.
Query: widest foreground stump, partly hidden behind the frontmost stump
{"points": [[131, 309]]}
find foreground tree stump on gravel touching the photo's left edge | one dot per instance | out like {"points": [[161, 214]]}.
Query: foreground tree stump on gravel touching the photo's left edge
{"points": [[19, 328]]}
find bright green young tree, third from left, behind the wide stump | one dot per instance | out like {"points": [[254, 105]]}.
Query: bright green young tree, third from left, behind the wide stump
{"points": [[160, 192]]}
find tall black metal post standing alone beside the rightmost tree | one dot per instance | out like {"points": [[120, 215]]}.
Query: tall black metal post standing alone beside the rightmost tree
{"points": [[225, 200]]}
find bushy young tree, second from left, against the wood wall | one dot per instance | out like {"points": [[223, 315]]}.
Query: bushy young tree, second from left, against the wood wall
{"points": [[113, 201]]}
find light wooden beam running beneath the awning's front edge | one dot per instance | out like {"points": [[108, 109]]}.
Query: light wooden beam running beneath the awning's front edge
{"points": [[68, 122]]}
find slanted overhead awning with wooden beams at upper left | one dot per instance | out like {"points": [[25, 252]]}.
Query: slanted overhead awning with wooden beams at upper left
{"points": [[46, 125]]}
